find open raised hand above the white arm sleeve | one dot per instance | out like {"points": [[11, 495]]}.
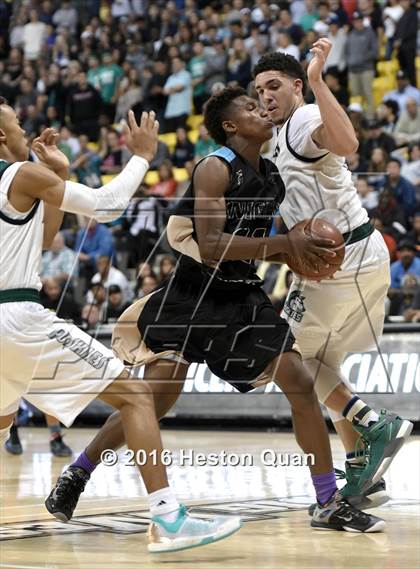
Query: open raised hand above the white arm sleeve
{"points": [[142, 139]]}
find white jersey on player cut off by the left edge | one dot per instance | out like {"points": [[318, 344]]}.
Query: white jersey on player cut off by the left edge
{"points": [[21, 236]]}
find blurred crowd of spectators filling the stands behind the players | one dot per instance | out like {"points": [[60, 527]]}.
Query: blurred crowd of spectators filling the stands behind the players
{"points": [[79, 65]]}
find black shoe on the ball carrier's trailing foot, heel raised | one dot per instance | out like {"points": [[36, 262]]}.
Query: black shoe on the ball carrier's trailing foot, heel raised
{"points": [[63, 498]]}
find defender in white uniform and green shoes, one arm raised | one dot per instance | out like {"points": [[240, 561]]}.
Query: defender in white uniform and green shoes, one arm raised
{"points": [[346, 313]]}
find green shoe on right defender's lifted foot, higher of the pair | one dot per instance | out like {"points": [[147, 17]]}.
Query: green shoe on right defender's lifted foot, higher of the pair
{"points": [[382, 441]]}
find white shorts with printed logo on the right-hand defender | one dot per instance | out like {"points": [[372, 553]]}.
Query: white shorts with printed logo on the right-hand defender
{"points": [[345, 313]]}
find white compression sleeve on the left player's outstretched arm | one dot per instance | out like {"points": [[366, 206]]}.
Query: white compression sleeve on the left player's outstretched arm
{"points": [[110, 201]]}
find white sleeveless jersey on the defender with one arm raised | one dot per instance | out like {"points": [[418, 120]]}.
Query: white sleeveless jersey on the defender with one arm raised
{"points": [[317, 181]]}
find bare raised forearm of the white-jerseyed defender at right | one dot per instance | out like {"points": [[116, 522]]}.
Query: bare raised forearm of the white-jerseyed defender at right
{"points": [[338, 134]]}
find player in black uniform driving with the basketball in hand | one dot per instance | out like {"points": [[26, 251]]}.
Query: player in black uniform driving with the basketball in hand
{"points": [[212, 308]]}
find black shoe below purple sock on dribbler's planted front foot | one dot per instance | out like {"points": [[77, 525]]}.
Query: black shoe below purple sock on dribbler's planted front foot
{"points": [[337, 514]]}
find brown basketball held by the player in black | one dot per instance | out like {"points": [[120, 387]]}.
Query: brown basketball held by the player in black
{"points": [[318, 228]]}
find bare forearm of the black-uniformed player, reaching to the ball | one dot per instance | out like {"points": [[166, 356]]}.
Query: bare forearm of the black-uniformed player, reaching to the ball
{"points": [[229, 247]]}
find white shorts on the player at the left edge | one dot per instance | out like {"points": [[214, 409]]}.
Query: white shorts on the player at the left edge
{"points": [[56, 366]]}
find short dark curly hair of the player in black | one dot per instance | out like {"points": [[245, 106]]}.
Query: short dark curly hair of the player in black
{"points": [[215, 112]]}
